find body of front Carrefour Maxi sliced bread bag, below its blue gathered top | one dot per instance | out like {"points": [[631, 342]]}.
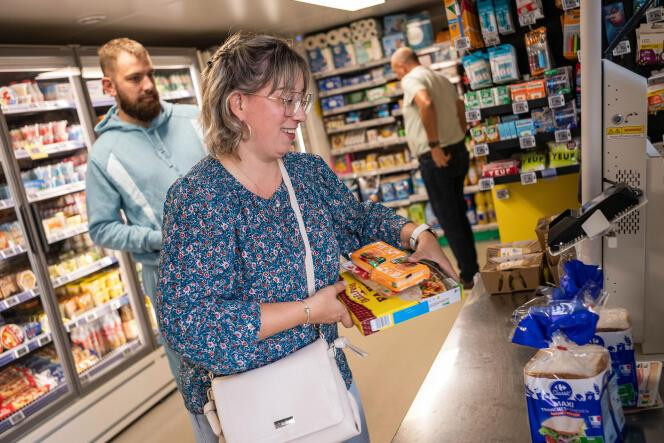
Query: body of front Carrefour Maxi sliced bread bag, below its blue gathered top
{"points": [[572, 396]]}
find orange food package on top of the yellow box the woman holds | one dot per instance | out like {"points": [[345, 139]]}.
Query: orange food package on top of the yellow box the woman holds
{"points": [[389, 266]]}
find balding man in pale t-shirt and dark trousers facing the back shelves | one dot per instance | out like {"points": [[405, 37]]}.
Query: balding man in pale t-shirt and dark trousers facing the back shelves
{"points": [[435, 128]]}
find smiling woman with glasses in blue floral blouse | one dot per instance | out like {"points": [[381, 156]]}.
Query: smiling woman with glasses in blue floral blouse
{"points": [[233, 291]]}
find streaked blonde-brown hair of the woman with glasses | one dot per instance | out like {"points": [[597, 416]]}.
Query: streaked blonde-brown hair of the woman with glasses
{"points": [[244, 63]]}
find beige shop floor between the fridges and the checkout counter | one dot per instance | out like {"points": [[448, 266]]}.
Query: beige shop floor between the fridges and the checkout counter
{"points": [[388, 379]]}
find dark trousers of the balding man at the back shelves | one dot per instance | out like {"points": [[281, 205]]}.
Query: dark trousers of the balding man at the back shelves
{"points": [[445, 189]]}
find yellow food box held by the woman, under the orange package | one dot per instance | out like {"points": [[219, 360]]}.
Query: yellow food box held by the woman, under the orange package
{"points": [[372, 311]]}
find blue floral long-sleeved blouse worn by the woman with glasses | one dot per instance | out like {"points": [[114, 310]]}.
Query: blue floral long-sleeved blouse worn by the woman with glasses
{"points": [[226, 250]]}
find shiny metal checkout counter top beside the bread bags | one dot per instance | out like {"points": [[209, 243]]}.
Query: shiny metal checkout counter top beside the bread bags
{"points": [[475, 388]]}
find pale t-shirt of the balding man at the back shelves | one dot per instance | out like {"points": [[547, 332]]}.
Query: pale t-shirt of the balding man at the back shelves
{"points": [[444, 97]]}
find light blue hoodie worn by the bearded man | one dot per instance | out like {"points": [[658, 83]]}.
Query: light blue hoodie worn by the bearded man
{"points": [[130, 169]]}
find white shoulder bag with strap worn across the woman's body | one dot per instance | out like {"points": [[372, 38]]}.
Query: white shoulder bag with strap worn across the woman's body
{"points": [[301, 397]]}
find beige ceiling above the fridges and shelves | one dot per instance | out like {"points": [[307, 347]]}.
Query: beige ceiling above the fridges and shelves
{"points": [[200, 23]]}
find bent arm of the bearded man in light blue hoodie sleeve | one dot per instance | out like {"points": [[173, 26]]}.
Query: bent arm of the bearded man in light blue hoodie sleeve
{"points": [[107, 228]]}
